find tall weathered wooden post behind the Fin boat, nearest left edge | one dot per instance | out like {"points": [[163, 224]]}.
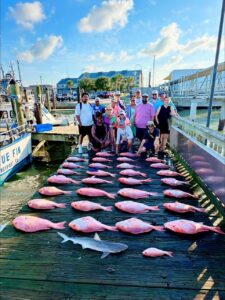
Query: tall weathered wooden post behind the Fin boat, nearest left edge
{"points": [[16, 102]]}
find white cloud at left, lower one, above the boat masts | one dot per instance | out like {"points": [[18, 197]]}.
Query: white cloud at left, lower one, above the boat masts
{"points": [[42, 49]]}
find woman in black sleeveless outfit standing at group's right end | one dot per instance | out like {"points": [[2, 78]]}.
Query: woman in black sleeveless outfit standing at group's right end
{"points": [[163, 115]]}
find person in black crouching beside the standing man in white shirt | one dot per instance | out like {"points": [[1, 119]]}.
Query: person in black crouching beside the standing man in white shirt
{"points": [[100, 134]]}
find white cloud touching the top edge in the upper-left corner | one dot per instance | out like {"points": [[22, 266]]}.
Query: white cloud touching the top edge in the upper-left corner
{"points": [[27, 14]]}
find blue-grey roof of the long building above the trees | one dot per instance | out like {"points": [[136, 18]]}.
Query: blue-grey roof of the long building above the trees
{"points": [[136, 74]]}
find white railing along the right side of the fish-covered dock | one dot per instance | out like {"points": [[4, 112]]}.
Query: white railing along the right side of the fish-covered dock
{"points": [[206, 136]]}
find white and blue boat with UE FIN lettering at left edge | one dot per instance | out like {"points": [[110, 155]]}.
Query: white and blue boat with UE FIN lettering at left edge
{"points": [[15, 152]]}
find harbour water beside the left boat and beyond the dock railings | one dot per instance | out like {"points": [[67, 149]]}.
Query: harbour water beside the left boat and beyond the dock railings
{"points": [[16, 192]]}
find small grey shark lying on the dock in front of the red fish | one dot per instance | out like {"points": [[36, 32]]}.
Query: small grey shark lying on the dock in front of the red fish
{"points": [[95, 244]]}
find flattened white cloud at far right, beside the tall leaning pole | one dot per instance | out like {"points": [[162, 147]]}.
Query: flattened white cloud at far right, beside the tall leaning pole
{"points": [[203, 43]]}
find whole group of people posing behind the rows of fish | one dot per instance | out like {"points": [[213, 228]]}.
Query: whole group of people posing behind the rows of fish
{"points": [[118, 126]]}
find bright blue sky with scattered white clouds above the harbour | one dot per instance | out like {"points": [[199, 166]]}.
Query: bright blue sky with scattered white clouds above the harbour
{"points": [[55, 39]]}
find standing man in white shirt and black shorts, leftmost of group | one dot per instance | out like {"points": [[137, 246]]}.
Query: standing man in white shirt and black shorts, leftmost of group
{"points": [[84, 116]]}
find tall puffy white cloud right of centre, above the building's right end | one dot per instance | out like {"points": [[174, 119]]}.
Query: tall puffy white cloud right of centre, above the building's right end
{"points": [[166, 43]]}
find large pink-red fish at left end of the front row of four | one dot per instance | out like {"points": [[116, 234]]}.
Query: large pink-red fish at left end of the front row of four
{"points": [[33, 224]]}
